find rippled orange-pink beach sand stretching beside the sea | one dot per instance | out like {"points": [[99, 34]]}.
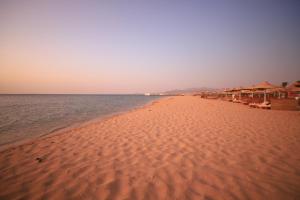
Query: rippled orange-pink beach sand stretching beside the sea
{"points": [[175, 148]]}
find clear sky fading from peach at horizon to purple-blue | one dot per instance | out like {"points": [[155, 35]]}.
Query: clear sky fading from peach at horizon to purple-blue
{"points": [[141, 46]]}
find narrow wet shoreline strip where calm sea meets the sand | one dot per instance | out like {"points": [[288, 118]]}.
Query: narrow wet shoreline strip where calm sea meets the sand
{"points": [[62, 130]]}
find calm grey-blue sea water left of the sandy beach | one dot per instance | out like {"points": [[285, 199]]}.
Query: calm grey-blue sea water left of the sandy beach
{"points": [[27, 116]]}
